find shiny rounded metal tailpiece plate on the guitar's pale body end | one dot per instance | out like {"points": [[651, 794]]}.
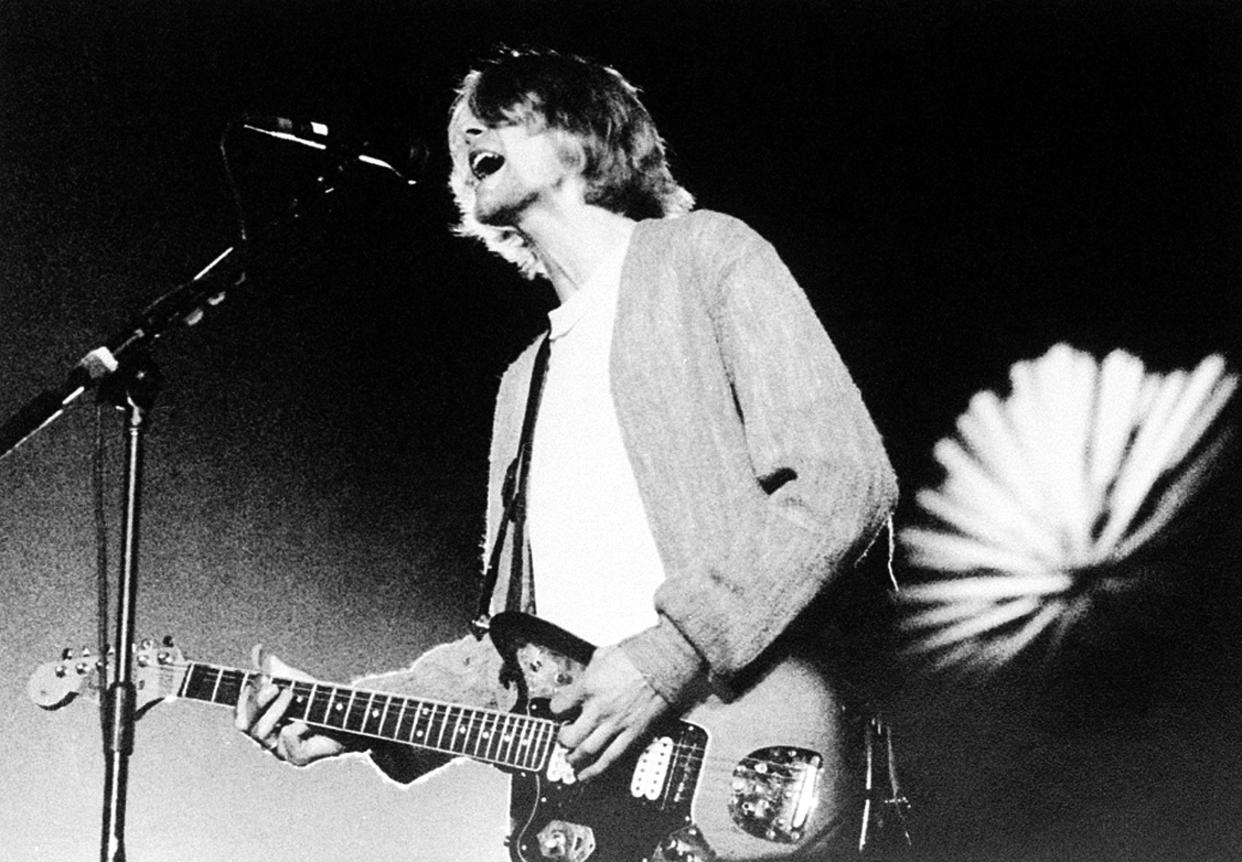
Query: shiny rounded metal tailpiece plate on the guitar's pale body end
{"points": [[774, 793]]}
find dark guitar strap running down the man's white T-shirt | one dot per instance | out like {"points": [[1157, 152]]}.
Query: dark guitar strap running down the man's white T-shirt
{"points": [[514, 496]]}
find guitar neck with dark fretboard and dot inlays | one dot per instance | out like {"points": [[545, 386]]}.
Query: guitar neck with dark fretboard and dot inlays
{"points": [[504, 740]]}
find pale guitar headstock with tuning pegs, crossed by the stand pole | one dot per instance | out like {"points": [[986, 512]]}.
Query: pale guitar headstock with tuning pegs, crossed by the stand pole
{"points": [[158, 669]]}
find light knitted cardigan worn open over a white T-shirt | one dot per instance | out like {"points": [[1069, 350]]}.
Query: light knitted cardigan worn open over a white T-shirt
{"points": [[762, 473]]}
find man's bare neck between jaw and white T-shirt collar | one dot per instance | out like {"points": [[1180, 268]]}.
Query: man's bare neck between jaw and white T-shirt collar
{"points": [[572, 238]]}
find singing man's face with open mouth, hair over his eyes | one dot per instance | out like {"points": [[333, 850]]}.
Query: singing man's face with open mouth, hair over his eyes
{"points": [[502, 172]]}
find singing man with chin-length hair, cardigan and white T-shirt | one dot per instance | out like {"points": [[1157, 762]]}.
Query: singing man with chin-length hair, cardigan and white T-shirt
{"points": [[699, 466]]}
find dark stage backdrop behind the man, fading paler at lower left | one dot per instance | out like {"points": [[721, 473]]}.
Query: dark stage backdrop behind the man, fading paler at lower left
{"points": [[958, 187]]}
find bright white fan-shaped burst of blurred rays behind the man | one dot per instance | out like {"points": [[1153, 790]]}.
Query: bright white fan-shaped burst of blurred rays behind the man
{"points": [[1050, 495]]}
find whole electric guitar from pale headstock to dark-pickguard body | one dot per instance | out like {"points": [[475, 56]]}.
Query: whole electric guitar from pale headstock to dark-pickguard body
{"points": [[762, 777]]}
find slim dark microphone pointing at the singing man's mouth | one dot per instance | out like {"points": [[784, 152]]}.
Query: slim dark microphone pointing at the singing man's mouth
{"points": [[403, 156]]}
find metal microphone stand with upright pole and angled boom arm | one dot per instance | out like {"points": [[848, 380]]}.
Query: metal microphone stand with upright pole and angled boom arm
{"points": [[126, 377]]}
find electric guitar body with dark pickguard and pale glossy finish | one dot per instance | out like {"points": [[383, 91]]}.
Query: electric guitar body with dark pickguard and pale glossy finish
{"points": [[762, 777]]}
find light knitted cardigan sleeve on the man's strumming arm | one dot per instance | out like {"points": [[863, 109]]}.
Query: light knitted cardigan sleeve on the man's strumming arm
{"points": [[823, 484]]}
